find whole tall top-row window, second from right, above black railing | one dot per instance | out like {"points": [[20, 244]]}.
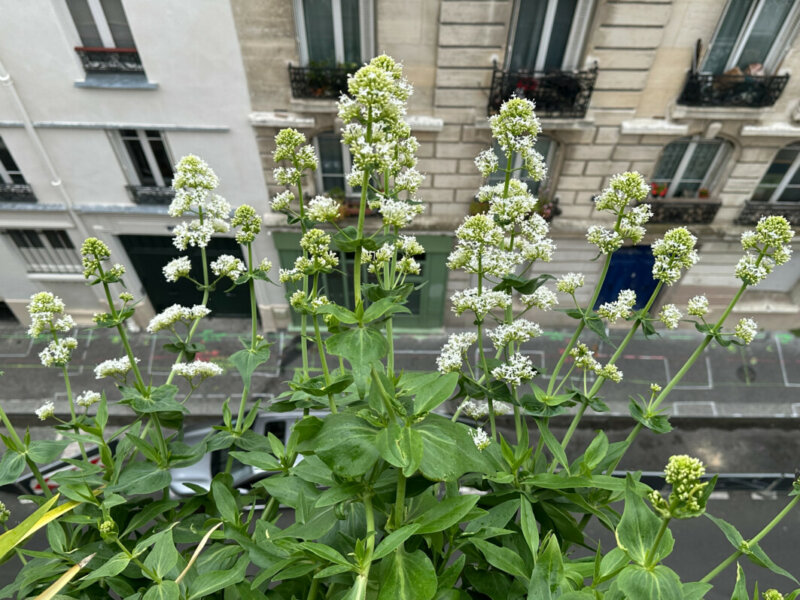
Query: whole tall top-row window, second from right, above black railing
{"points": [[547, 35]]}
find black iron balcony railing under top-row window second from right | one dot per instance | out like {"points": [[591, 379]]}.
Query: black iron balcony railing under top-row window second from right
{"points": [[557, 94]]}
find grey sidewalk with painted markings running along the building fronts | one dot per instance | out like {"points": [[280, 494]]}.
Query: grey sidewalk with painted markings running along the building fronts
{"points": [[761, 380]]}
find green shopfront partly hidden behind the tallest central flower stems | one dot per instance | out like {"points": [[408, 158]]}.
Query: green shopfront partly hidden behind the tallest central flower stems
{"points": [[426, 304]]}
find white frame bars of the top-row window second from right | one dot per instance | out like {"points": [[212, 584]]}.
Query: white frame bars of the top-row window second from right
{"points": [[575, 40]]}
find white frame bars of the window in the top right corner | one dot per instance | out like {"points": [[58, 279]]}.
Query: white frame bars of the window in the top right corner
{"points": [[779, 47]]}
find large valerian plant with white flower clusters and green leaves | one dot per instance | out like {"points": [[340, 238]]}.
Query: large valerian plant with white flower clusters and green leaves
{"points": [[378, 492]]}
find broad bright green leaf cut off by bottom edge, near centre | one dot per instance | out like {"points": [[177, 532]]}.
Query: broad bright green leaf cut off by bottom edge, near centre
{"points": [[407, 576]]}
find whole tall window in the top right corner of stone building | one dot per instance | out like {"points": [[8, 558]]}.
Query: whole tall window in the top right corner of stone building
{"points": [[751, 36]]}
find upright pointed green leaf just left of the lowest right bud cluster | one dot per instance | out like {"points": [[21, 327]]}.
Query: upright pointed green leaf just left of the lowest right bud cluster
{"points": [[638, 528]]}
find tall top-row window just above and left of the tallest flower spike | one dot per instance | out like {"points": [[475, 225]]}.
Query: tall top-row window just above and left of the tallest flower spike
{"points": [[334, 32]]}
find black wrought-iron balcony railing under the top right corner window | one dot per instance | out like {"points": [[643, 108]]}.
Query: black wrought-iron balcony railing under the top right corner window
{"points": [[747, 91]]}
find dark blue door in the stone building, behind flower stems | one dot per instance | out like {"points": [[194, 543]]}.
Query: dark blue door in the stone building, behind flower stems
{"points": [[631, 268]]}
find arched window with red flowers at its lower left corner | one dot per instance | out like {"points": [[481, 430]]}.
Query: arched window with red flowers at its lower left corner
{"points": [[688, 166]]}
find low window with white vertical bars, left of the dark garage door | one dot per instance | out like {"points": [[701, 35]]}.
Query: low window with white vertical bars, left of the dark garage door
{"points": [[46, 251]]}
